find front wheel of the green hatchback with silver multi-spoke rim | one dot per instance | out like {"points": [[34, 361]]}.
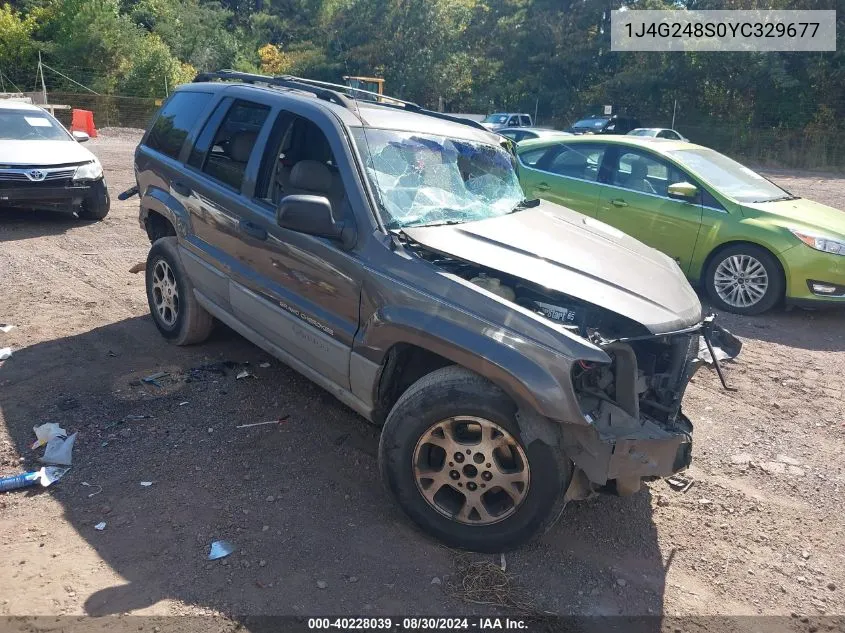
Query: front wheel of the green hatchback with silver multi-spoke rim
{"points": [[744, 279]]}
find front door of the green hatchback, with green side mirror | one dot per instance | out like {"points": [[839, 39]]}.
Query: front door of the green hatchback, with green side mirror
{"points": [[635, 199]]}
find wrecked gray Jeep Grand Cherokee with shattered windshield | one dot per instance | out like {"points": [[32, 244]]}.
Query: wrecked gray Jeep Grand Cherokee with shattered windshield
{"points": [[516, 354]]}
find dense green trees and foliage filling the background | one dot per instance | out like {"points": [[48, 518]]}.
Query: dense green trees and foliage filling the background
{"points": [[470, 55]]}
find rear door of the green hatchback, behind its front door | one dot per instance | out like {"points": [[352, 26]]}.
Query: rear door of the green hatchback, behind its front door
{"points": [[563, 174]]}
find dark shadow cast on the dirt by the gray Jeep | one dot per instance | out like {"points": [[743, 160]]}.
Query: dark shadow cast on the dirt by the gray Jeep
{"points": [[300, 499]]}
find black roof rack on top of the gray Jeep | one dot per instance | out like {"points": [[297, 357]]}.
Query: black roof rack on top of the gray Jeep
{"points": [[335, 93]]}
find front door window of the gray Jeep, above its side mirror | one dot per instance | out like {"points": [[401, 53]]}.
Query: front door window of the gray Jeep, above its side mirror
{"points": [[303, 163]]}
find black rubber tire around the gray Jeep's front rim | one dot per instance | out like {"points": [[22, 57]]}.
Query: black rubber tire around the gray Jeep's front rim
{"points": [[455, 391]]}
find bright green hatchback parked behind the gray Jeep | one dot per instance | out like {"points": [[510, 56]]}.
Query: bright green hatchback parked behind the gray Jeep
{"points": [[748, 242]]}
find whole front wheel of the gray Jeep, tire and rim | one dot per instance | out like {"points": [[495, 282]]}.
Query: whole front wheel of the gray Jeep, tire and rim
{"points": [[452, 456]]}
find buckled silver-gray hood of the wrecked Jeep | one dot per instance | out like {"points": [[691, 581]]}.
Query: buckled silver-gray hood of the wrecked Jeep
{"points": [[568, 252]]}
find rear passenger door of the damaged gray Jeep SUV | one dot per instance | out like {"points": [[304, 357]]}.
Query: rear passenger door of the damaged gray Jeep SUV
{"points": [[210, 188]]}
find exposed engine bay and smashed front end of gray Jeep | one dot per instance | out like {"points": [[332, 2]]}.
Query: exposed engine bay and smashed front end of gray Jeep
{"points": [[632, 405]]}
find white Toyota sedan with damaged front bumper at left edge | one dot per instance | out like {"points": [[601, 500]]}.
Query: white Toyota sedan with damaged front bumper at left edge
{"points": [[43, 166]]}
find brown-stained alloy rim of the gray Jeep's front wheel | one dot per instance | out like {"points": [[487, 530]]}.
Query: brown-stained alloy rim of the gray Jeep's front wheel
{"points": [[471, 470]]}
